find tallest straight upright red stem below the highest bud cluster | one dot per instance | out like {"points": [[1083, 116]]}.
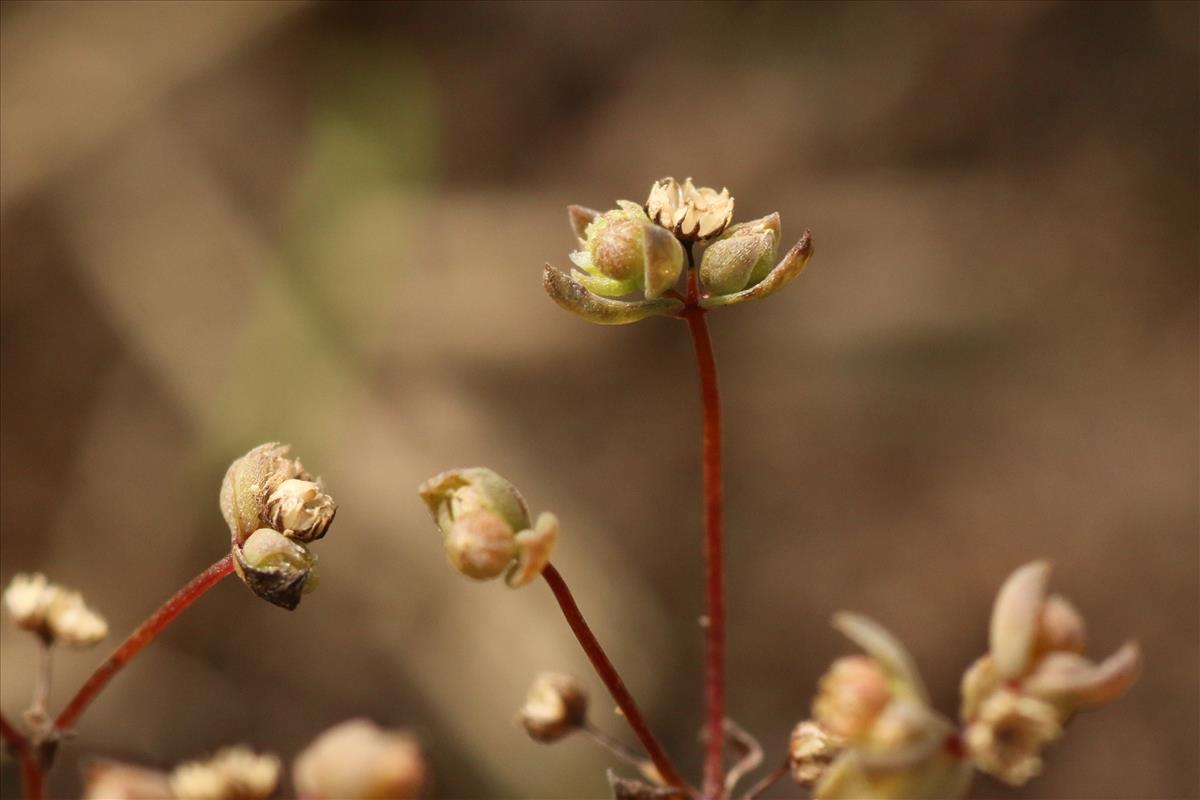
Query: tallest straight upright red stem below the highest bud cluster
{"points": [[715, 568]]}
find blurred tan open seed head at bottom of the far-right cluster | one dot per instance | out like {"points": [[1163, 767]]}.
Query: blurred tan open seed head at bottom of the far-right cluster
{"points": [[1009, 736]]}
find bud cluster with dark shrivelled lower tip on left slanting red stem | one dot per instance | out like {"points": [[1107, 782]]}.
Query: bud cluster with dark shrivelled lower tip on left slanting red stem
{"points": [[274, 509]]}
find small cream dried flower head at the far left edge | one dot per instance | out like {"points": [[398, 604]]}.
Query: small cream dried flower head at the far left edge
{"points": [[53, 612]]}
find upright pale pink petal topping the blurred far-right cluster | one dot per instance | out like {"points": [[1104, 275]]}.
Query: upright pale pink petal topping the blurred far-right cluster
{"points": [[1015, 618]]}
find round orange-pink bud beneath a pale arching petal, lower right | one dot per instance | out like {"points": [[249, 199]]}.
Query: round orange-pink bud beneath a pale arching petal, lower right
{"points": [[853, 695]]}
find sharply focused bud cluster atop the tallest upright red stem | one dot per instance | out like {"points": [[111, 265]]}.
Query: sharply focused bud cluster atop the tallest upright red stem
{"points": [[640, 250]]}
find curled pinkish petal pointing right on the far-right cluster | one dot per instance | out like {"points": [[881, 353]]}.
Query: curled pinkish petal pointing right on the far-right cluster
{"points": [[1072, 683]]}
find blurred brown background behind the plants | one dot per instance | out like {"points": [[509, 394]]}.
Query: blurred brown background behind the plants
{"points": [[236, 222]]}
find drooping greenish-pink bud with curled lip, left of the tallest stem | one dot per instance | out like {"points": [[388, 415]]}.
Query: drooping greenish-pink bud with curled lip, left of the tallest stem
{"points": [[487, 527]]}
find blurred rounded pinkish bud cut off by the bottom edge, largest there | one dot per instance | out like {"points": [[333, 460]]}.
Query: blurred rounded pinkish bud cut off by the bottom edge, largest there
{"points": [[358, 761]]}
